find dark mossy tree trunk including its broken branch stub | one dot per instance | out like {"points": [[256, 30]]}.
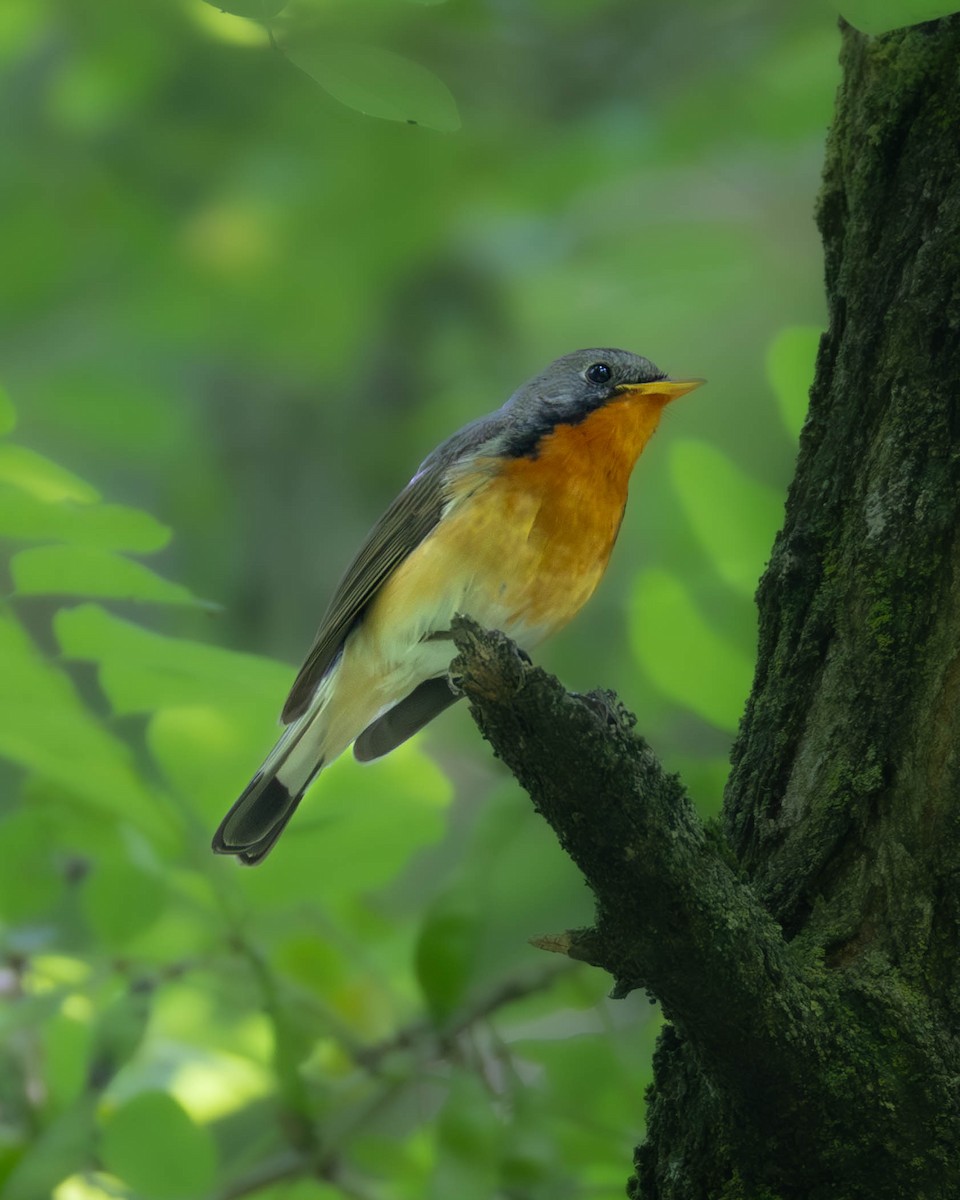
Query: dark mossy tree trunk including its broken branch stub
{"points": [[807, 955]]}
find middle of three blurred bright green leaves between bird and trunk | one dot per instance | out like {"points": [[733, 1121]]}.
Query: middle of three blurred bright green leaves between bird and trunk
{"points": [[734, 517]]}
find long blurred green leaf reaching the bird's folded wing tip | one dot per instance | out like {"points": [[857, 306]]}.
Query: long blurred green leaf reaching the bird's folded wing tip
{"points": [[142, 671]]}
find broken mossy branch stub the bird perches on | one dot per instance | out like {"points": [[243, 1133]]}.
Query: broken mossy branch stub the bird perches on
{"points": [[671, 916]]}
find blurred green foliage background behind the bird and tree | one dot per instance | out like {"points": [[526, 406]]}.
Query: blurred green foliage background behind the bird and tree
{"points": [[236, 313]]}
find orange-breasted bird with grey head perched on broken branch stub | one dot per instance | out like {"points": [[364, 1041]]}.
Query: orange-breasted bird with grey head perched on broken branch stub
{"points": [[511, 521]]}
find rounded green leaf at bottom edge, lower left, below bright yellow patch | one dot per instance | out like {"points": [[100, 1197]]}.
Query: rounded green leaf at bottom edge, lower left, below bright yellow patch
{"points": [[153, 1147]]}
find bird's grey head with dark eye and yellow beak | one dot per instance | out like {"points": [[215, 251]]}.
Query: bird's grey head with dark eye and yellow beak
{"points": [[574, 387]]}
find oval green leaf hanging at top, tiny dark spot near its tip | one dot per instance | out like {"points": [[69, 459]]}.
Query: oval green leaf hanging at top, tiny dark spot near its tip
{"points": [[379, 83]]}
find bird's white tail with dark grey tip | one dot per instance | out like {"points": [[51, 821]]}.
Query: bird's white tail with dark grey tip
{"points": [[269, 801]]}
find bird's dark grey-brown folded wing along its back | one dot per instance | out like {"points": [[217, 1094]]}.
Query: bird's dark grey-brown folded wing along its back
{"points": [[400, 531]]}
